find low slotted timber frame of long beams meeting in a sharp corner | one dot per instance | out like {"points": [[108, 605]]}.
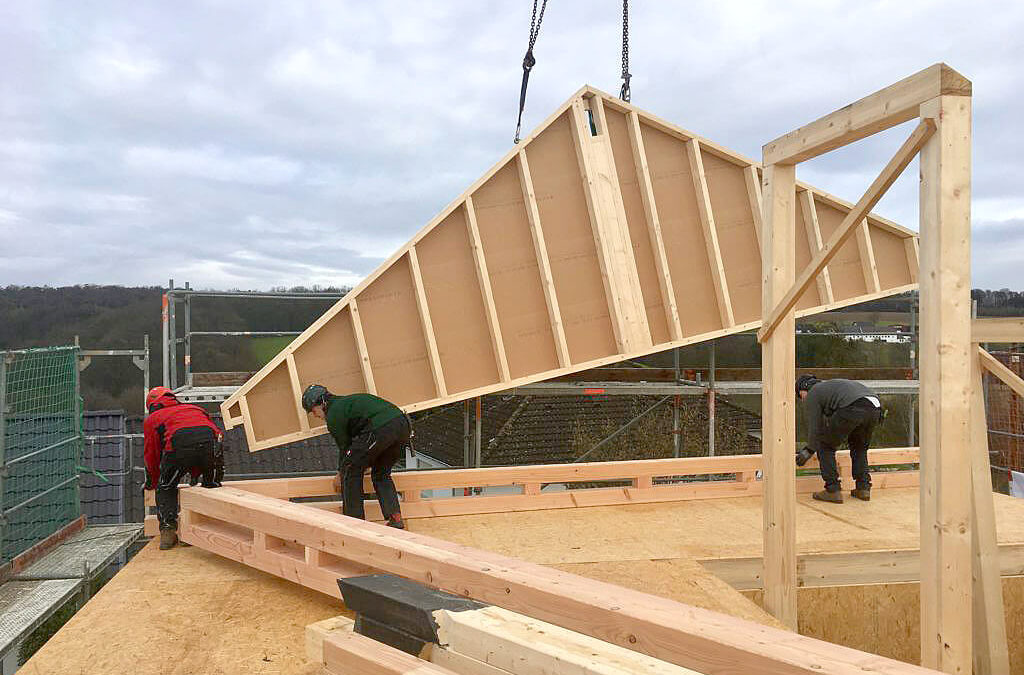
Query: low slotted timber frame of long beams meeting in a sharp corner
{"points": [[314, 547]]}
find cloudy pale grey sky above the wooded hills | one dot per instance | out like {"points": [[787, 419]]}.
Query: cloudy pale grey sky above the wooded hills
{"points": [[244, 145]]}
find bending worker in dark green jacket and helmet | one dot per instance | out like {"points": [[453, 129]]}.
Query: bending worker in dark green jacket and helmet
{"points": [[371, 434]]}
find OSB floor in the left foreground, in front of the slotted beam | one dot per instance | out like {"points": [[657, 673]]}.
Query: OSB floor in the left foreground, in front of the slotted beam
{"points": [[188, 611]]}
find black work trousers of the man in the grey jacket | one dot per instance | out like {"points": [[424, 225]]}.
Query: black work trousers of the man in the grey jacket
{"points": [[855, 425]]}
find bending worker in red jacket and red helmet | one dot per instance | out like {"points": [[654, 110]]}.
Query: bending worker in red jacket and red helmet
{"points": [[181, 439]]}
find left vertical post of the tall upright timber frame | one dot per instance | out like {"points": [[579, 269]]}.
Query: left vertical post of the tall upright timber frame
{"points": [[778, 400]]}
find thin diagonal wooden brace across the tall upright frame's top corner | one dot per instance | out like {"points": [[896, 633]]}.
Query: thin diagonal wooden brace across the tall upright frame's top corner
{"points": [[889, 175]]}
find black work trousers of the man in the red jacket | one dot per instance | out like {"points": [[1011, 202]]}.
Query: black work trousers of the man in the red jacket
{"points": [[194, 448]]}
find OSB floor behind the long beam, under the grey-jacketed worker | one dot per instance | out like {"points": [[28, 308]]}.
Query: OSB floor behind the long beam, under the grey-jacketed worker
{"points": [[700, 529]]}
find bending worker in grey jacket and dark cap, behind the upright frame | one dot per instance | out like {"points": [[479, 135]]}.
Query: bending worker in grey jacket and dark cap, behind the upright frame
{"points": [[836, 411]]}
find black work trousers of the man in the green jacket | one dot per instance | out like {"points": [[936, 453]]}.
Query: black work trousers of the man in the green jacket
{"points": [[377, 450]]}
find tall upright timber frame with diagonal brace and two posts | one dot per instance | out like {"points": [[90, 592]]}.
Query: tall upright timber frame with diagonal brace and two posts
{"points": [[959, 568]]}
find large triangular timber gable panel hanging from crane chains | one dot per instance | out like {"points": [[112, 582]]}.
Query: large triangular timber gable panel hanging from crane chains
{"points": [[607, 235]]}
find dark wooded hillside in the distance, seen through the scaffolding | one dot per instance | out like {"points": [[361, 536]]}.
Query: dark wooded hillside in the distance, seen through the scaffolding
{"points": [[117, 318]]}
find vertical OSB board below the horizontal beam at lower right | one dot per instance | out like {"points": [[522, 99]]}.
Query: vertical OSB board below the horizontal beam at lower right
{"points": [[885, 619]]}
